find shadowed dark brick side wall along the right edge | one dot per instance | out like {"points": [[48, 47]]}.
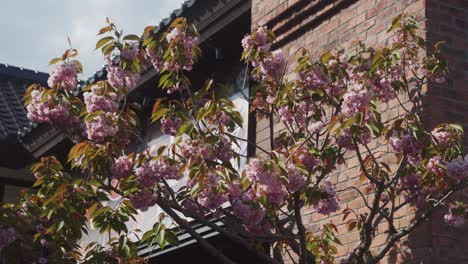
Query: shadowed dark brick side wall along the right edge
{"points": [[448, 21]]}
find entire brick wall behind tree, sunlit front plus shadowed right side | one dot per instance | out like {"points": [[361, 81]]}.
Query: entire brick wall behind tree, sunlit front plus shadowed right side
{"points": [[319, 25]]}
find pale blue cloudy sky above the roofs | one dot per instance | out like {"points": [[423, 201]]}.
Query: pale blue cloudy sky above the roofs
{"points": [[32, 32]]}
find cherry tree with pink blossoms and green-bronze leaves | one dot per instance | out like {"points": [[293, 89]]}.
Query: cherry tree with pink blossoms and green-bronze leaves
{"points": [[330, 112]]}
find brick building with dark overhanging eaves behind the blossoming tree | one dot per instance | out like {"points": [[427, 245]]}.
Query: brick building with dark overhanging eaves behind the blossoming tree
{"points": [[319, 25]]}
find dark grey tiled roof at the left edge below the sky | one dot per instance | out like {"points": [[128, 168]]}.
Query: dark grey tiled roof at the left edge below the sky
{"points": [[13, 83]]}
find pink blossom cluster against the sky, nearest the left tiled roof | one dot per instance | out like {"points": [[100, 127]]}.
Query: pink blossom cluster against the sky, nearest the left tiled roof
{"points": [[63, 75]]}
